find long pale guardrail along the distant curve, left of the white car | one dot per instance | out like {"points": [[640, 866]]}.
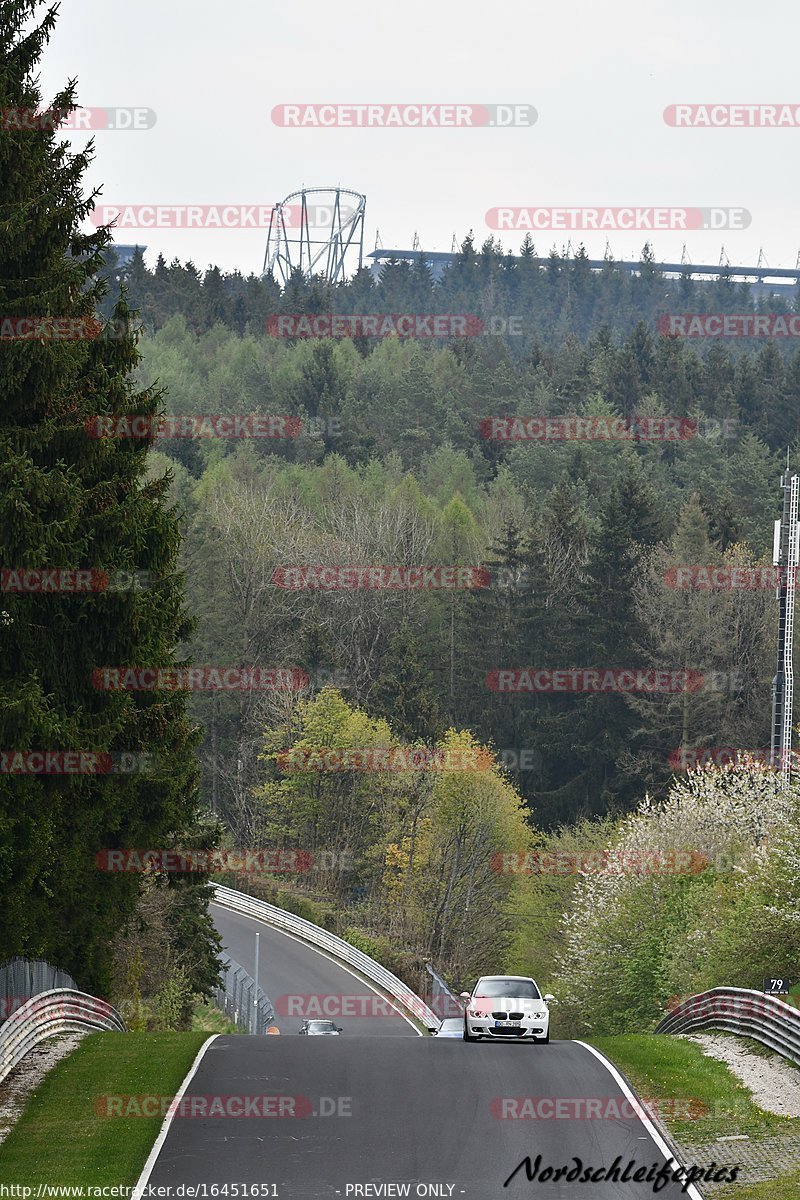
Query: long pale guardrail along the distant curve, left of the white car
{"points": [[336, 946]]}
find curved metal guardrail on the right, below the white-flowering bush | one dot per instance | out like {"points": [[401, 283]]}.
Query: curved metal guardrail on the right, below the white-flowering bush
{"points": [[753, 1015]]}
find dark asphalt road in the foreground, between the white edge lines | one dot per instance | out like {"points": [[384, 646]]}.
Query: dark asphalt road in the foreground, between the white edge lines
{"points": [[358, 1112]]}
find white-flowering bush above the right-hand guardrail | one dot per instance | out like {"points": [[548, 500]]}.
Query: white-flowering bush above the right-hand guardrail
{"points": [[679, 880]]}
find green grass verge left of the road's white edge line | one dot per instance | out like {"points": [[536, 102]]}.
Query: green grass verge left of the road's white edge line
{"points": [[62, 1139]]}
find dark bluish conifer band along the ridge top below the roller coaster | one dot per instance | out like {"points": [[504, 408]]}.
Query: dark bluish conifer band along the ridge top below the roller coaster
{"points": [[514, 295]]}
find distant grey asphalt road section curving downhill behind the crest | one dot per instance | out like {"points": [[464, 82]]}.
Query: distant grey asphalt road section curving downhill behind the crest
{"points": [[302, 982]]}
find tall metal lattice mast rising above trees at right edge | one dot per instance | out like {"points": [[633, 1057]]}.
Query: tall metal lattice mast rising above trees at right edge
{"points": [[785, 556]]}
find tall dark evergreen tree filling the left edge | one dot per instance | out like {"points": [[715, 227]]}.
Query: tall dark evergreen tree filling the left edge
{"points": [[75, 502]]}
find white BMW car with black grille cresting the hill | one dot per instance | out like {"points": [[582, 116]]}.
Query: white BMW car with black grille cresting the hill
{"points": [[507, 1009]]}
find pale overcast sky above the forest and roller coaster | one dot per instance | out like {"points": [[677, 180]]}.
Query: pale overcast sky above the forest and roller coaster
{"points": [[599, 75]]}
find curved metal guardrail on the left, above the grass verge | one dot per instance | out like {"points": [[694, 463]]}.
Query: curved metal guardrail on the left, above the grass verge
{"points": [[59, 1011]]}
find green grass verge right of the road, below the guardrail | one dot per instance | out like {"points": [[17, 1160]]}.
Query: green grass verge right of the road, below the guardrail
{"points": [[677, 1073]]}
